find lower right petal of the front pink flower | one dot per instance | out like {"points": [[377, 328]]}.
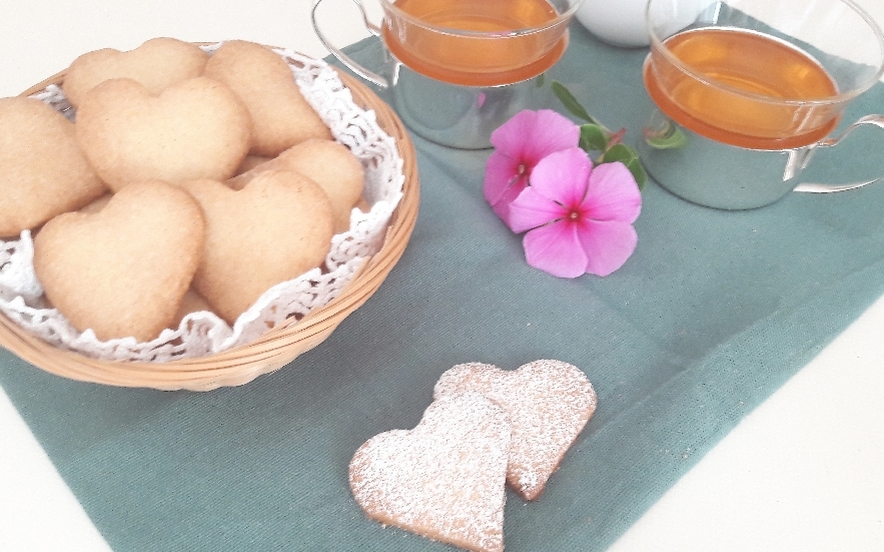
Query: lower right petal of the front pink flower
{"points": [[607, 245]]}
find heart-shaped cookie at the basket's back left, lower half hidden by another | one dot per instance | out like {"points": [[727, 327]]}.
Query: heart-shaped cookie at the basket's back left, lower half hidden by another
{"points": [[156, 65]]}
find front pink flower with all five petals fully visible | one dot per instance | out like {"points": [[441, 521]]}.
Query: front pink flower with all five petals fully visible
{"points": [[578, 217]]}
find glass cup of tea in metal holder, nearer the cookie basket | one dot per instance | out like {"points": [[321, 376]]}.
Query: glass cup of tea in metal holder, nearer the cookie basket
{"points": [[458, 69]]}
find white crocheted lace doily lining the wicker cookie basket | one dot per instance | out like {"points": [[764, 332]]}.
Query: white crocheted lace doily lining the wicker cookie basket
{"points": [[203, 333]]}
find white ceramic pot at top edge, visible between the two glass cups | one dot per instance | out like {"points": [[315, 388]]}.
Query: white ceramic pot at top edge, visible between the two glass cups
{"points": [[617, 22]]}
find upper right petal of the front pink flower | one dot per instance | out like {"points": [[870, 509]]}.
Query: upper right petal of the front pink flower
{"points": [[613, 194]]}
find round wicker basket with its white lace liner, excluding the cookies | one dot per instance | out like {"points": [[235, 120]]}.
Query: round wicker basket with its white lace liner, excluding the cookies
{"points": [[359, 119]]}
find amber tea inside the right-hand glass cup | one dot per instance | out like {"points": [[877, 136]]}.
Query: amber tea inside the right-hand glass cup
{"points": [[743, 88]]}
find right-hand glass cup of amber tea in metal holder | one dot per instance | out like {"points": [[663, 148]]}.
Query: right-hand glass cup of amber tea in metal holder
{"points": [[753, 83]]}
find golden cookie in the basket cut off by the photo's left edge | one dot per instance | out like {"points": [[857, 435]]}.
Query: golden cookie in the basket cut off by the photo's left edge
{"points": [[44, 172]]}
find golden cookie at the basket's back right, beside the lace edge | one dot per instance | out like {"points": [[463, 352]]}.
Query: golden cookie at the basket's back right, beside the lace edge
{"points": [[280, 114]]}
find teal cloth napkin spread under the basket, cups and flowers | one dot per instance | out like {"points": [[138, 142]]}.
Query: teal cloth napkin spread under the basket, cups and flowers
{"points": [[714, 311]]}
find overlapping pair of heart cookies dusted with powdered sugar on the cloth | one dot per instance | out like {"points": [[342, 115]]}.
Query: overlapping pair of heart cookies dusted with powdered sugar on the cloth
{"points": [[445, 479]]}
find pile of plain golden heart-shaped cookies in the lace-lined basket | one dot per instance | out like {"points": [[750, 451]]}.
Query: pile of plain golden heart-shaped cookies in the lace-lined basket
{"points": [[188, 181]]}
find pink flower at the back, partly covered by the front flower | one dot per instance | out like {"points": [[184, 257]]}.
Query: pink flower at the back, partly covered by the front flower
{"points": [[520, 144]]}
